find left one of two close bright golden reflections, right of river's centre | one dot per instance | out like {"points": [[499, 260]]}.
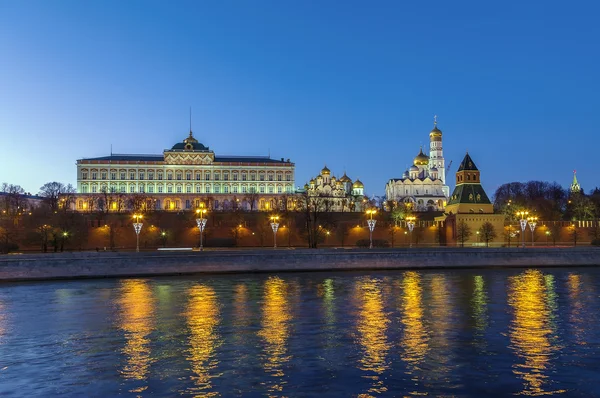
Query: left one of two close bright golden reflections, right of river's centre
{"points": [[372, 327]]}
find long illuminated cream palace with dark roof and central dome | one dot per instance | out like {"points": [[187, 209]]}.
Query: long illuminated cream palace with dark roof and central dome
{"points": [[184, 177]]}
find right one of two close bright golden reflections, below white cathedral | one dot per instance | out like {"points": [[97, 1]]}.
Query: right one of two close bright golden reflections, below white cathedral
{"points": [[415, 340]]}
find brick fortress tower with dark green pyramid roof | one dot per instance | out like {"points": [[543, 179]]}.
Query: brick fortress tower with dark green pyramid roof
{"points": [[469, 203]]}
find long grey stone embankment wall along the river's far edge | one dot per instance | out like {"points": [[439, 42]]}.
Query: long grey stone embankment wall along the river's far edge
{"points": [[25, 267]]}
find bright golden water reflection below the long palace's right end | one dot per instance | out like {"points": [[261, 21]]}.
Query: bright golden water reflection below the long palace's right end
{"points": [[275, 332]]}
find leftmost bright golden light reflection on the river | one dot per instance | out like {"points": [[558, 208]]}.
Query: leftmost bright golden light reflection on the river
{"points": [[137, 311]]}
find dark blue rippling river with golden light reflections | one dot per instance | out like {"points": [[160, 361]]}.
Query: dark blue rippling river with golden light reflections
{"points": [[451, 333]]}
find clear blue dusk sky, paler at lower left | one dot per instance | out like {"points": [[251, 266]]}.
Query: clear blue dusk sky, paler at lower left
{"points": [[353, 85]]}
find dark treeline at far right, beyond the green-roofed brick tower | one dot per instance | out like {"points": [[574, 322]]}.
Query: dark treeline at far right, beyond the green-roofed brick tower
{"points": [[546, 200]]}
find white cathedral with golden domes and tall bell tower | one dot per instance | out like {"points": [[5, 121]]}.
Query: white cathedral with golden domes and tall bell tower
{"points": [[423, 185]]}
